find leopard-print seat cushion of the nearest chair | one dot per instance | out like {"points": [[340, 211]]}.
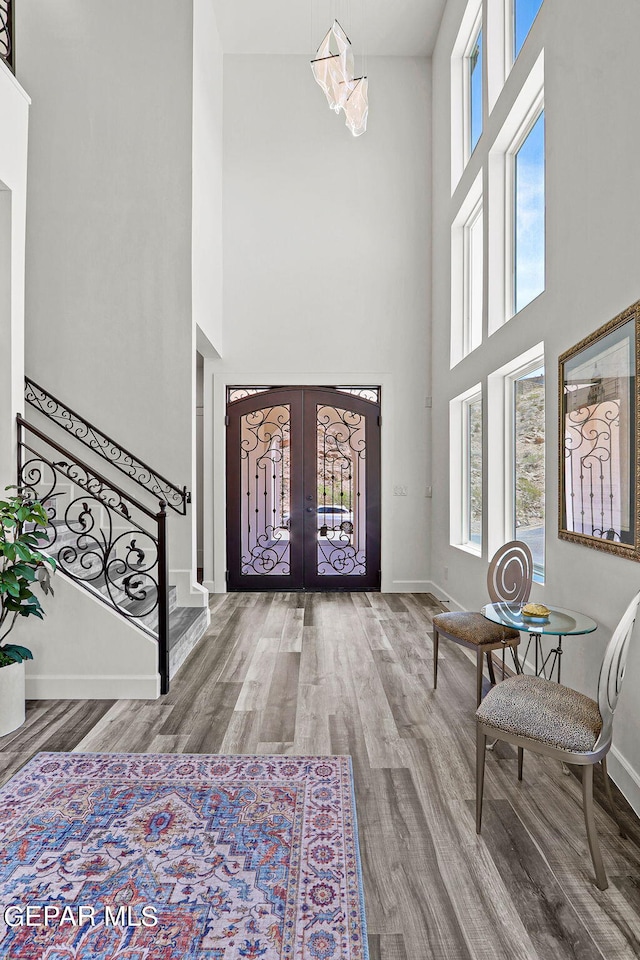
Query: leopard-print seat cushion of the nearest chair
{"points": [[543, 710]]}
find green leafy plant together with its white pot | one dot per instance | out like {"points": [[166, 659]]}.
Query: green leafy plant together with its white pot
{"points": [[22, 565]]}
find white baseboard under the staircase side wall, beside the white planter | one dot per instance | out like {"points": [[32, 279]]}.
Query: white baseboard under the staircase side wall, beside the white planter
{"points": [[92, 688]]}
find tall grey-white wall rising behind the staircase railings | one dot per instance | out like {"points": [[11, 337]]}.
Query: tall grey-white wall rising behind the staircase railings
{"points": [[109, 323]]}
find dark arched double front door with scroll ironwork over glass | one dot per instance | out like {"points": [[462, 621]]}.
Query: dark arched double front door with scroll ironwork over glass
{"points": [[303, 488]]}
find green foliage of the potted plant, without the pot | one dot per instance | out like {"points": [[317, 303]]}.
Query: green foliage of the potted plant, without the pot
{"points": [[22, 565]]}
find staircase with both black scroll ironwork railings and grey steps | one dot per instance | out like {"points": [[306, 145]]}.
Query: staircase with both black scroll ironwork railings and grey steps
{"points": [[104, 539]]}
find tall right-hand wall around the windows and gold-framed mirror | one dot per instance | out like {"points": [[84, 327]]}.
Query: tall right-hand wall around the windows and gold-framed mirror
{"points": [[592, 100]]}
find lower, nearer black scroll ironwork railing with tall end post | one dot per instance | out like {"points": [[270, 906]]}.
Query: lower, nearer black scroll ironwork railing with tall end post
{"points": [[101, 537]]}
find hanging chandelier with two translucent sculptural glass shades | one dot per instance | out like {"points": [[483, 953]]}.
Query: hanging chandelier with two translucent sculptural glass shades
{"points": [[333, 69]]}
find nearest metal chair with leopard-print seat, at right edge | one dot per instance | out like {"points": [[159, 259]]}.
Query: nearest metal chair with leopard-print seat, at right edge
{"points": [[556, 721]]}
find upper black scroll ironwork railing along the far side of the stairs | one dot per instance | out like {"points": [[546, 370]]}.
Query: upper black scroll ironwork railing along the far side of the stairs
{"points": [[176, 498]]}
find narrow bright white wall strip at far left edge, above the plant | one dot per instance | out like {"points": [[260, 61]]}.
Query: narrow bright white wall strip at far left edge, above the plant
{"points": [[14, 110]]}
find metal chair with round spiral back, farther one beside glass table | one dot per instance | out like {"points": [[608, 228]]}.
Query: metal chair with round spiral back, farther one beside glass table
{"points": [[508, 580]]}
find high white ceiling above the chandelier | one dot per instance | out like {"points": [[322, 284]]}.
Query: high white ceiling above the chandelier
{"points": [[376, 27]]}
